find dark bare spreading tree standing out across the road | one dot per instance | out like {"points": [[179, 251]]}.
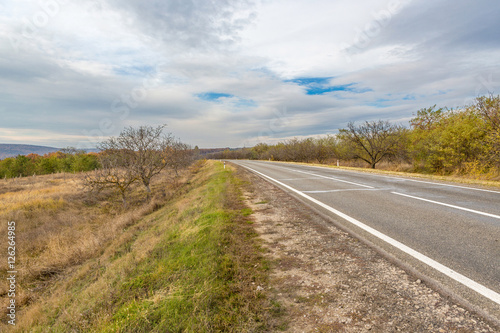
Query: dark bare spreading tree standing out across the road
{"points": [[372, 140]]}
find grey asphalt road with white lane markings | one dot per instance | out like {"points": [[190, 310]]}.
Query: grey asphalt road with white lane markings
{"points": [[448, 233]]}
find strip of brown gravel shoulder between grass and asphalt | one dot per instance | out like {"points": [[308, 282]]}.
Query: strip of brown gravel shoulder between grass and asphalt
{"points": [[328, 281]]}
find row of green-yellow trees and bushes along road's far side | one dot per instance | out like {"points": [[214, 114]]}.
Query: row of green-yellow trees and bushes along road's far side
{"points": [[465, 140]]}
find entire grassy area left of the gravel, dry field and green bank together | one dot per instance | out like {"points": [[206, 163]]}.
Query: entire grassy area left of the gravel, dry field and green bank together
{"points": [[185, 260]]}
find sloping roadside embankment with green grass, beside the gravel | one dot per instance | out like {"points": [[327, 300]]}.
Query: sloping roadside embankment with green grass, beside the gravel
{"points": [[192, 266]]}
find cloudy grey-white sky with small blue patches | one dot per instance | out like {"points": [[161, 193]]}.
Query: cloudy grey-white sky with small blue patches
{"points": [[234, 73]]}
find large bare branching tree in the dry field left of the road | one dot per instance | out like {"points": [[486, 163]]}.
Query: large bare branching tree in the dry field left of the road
{"points": [[146, 150]]}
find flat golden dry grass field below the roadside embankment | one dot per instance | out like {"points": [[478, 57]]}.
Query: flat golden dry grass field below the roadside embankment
{"points": [[58, 226]]}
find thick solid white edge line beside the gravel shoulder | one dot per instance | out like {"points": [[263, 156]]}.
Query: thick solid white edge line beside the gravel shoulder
{"points": [[479, 288]]}
